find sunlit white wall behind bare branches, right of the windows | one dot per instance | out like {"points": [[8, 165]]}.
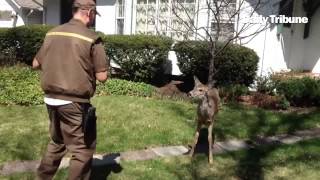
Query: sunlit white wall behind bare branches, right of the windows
{"points": [[267, 44]]}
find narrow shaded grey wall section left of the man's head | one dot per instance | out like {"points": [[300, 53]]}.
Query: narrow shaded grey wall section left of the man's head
{"points": [[52, 12]]}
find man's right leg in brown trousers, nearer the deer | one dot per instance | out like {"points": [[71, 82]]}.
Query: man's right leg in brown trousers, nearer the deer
{"points": [[72, 132]]}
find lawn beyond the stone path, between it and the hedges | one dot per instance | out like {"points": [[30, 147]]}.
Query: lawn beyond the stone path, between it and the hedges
{"points": [[130, 123]]}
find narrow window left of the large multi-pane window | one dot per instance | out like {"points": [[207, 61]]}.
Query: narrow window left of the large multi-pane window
{"points": [[120, 14]]}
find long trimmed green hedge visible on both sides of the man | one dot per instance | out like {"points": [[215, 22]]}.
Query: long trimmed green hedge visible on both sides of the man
{"points": [[141, 57]]}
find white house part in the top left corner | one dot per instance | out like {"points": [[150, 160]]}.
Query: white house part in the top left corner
{"points": [[20, 12]]}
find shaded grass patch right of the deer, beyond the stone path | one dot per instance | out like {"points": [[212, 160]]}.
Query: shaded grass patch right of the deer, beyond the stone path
{"points": [[240, 121]]}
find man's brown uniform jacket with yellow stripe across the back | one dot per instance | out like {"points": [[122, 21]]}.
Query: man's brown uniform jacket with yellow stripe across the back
{"points": [[69, 57]]}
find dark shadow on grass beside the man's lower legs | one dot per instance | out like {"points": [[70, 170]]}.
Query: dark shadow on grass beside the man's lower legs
{"points": [[102, 168]]}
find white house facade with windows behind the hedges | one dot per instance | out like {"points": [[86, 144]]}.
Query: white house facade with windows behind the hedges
{"points": [[280, 46]]}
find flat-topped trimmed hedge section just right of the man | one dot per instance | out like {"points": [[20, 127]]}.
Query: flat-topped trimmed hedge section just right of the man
{"points": [[140, 57]]}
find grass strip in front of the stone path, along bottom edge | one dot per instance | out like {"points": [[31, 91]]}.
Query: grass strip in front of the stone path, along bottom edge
{"points": [[299, 161]]}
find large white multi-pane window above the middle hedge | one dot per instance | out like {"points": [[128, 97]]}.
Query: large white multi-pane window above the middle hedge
{"points": [[158, 17]]}
